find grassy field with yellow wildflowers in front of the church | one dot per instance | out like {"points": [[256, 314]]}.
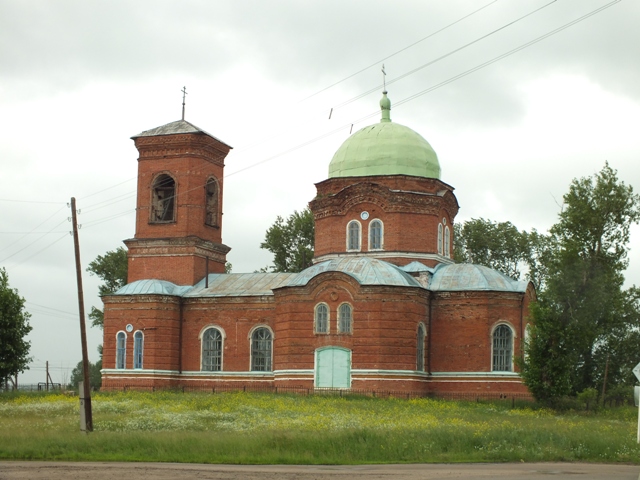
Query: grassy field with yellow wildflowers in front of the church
{"points": [[265, 428]]}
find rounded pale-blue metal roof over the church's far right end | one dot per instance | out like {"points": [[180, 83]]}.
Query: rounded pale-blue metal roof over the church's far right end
{"points": [[468, 277]]}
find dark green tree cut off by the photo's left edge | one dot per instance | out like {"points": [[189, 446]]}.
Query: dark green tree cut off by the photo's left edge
{"points": [[14, 327]]}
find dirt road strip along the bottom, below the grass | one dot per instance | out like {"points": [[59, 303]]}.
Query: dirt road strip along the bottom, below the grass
{"points": [[162, 471]]}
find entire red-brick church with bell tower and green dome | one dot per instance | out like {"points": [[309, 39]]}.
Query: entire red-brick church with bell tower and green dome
{"points": [[383, 307]]}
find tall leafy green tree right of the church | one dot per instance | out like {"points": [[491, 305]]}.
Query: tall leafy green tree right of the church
{"points": [[583, 312]]}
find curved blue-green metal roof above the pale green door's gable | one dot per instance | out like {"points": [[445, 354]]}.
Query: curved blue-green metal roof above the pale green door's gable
{"points": [[366, 270]]}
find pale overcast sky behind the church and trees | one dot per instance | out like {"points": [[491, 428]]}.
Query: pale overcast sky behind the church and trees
{"points": [[79, 78]]}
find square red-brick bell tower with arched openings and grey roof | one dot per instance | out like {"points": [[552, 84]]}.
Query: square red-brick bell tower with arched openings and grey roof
{"points": [[178, 234]]}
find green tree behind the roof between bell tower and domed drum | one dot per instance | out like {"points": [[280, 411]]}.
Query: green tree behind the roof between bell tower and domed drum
{"points": [[291, 242]]}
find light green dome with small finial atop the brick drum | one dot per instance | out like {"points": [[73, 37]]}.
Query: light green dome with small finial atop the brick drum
{"points": [[385, 148]]}
